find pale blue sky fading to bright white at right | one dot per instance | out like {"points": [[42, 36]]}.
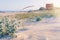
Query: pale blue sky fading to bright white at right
{"points": [[18, 5]]}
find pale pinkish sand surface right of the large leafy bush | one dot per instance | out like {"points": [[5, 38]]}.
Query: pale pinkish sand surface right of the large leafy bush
{"points": [[41, 31]]}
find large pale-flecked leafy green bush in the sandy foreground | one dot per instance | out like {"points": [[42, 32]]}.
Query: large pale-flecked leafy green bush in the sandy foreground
{"points": [[7, 28]]}
